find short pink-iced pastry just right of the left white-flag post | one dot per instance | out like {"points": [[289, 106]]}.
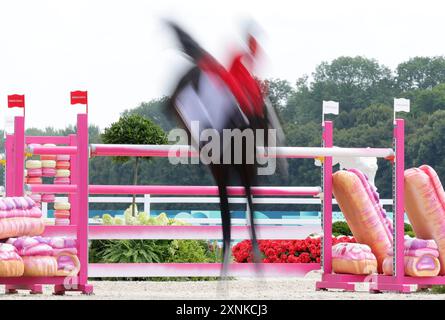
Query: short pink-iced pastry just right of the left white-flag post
{"points": [[353, 258]]}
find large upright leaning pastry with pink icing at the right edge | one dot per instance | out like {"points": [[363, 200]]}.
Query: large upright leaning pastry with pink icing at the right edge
{"points": [[425, 206]]}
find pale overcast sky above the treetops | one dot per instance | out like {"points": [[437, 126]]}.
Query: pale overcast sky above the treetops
{"points": [[120, 52]]}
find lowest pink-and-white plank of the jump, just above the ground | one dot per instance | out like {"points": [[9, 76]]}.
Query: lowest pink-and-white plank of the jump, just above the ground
{"points": [[199, 269]]}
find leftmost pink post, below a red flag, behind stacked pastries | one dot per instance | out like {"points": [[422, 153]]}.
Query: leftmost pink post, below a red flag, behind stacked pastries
{"points": [[19, 155]]}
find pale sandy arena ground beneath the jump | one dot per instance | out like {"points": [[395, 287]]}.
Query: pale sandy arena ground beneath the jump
{"points": [[264, 289]]}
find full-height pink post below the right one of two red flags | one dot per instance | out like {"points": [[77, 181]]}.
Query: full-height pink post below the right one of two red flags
{"points": [[82, 195]]}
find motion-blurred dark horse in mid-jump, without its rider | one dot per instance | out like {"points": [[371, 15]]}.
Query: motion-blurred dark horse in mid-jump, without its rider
{"points": [[190, 102]]}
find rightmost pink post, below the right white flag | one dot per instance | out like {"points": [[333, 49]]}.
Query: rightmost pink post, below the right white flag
{"points": [[399, 200]]}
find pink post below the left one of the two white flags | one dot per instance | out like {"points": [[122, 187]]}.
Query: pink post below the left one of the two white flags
{"points": [[327, 199]]}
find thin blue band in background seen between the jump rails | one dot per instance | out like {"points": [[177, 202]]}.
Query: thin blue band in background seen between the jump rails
{"points": [[202, 214]]}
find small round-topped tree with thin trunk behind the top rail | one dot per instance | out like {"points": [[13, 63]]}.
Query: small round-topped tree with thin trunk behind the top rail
{"points": [[133, 129]]}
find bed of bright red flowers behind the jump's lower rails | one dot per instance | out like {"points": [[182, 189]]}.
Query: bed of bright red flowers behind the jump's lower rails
{"points": [[284, 251]]}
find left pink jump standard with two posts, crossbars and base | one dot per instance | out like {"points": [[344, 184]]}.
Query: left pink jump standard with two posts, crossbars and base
{"points": [[77, 190]]}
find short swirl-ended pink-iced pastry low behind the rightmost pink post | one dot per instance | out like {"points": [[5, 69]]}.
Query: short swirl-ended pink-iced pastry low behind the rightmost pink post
{"points": [[420, 259]]}
